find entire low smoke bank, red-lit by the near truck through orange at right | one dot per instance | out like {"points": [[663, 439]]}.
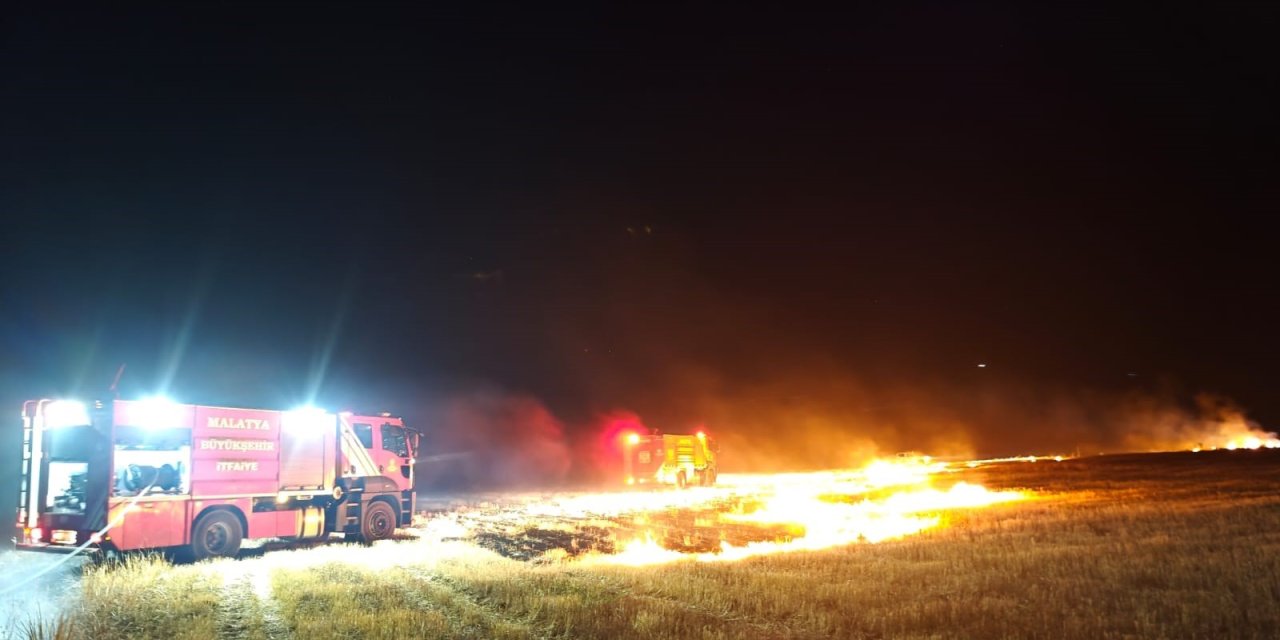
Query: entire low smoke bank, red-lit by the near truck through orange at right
{"points": [[490, 440]]}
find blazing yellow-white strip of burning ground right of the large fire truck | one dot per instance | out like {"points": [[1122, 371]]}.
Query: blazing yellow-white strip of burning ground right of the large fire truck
{"points": [[742, 516]]}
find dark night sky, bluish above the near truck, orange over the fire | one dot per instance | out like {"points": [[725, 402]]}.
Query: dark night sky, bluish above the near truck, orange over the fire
{"points": [[793, 226]]}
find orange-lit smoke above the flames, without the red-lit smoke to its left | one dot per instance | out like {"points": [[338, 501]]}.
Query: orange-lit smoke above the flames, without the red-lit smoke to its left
{"points": [[822, 419]]}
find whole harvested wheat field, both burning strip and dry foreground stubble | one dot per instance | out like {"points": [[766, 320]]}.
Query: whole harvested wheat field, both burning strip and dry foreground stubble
{"points": [[1145, 546]]}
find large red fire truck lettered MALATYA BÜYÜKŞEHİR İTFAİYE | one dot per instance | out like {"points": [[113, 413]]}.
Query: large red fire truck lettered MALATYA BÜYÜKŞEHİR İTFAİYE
{"points": [[156, 474]]}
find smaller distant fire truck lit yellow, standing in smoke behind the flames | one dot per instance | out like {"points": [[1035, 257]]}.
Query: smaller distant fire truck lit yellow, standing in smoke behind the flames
{"points": [[670, 459]]}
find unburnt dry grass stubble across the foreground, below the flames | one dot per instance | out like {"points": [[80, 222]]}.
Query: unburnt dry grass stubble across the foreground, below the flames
{"points": [[1174, 546]]}
